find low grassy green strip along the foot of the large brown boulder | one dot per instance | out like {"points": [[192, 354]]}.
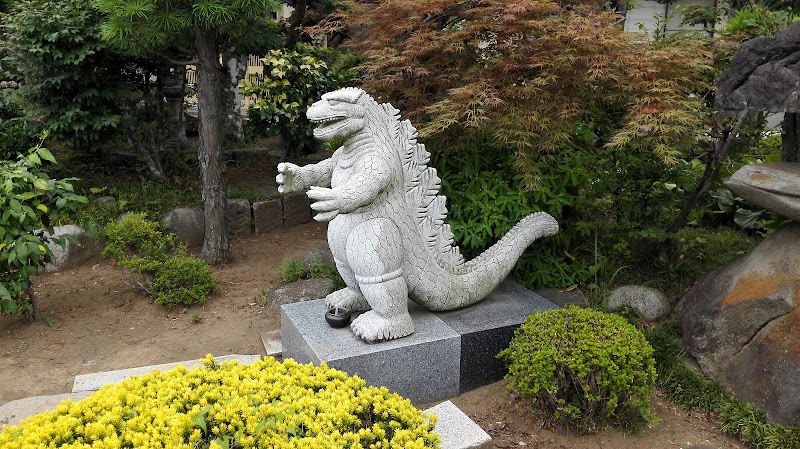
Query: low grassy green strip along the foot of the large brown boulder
{"points": [[692, 390]]}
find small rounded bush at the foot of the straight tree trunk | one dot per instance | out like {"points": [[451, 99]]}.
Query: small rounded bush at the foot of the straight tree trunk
{"points": [[182, 280]]}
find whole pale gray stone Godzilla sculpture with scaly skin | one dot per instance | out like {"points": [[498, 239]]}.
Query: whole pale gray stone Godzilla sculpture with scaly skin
{"points": [[387, 230]]}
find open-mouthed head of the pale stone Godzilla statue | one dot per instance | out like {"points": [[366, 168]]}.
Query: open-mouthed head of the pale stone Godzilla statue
{"points": [[338, 114]]}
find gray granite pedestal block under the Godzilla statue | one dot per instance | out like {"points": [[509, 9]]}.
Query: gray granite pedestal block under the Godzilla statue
{"points": [[449, 353]]}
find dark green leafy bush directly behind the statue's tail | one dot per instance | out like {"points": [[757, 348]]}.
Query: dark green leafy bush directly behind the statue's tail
{"points": [[613, 208]]}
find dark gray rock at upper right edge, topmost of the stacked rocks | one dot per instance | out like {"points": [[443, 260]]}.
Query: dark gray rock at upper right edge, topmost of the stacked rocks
{"points": [[764, 74]]}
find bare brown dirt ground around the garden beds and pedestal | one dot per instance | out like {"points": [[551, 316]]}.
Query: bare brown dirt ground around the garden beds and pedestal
{"points": [[91, 320]]}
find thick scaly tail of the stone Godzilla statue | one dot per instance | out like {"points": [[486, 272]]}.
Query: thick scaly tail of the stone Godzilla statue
{"points": [[474, 280]]}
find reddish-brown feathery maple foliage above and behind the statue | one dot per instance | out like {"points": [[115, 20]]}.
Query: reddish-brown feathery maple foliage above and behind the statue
{"points": [[524, 72]]}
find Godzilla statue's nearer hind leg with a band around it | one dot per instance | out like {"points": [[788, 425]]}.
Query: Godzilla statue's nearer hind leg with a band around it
{"points": [[375, 254]]}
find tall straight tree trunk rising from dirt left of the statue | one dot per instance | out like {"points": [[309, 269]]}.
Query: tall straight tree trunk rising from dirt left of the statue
{"points": [[210, 109]]}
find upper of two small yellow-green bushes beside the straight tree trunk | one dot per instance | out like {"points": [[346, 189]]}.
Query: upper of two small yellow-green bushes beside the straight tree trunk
{"points": [[140, 244]]}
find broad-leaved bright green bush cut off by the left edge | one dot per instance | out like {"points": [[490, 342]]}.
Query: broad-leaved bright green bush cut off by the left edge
{"points": [[30, 204]]}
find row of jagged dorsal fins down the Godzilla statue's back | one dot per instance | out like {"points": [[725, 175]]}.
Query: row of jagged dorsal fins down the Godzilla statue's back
{"points": [[422, 192]]}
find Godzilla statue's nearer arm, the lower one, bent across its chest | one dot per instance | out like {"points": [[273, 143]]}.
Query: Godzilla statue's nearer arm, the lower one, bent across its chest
{"points": [[371, 177]]}
